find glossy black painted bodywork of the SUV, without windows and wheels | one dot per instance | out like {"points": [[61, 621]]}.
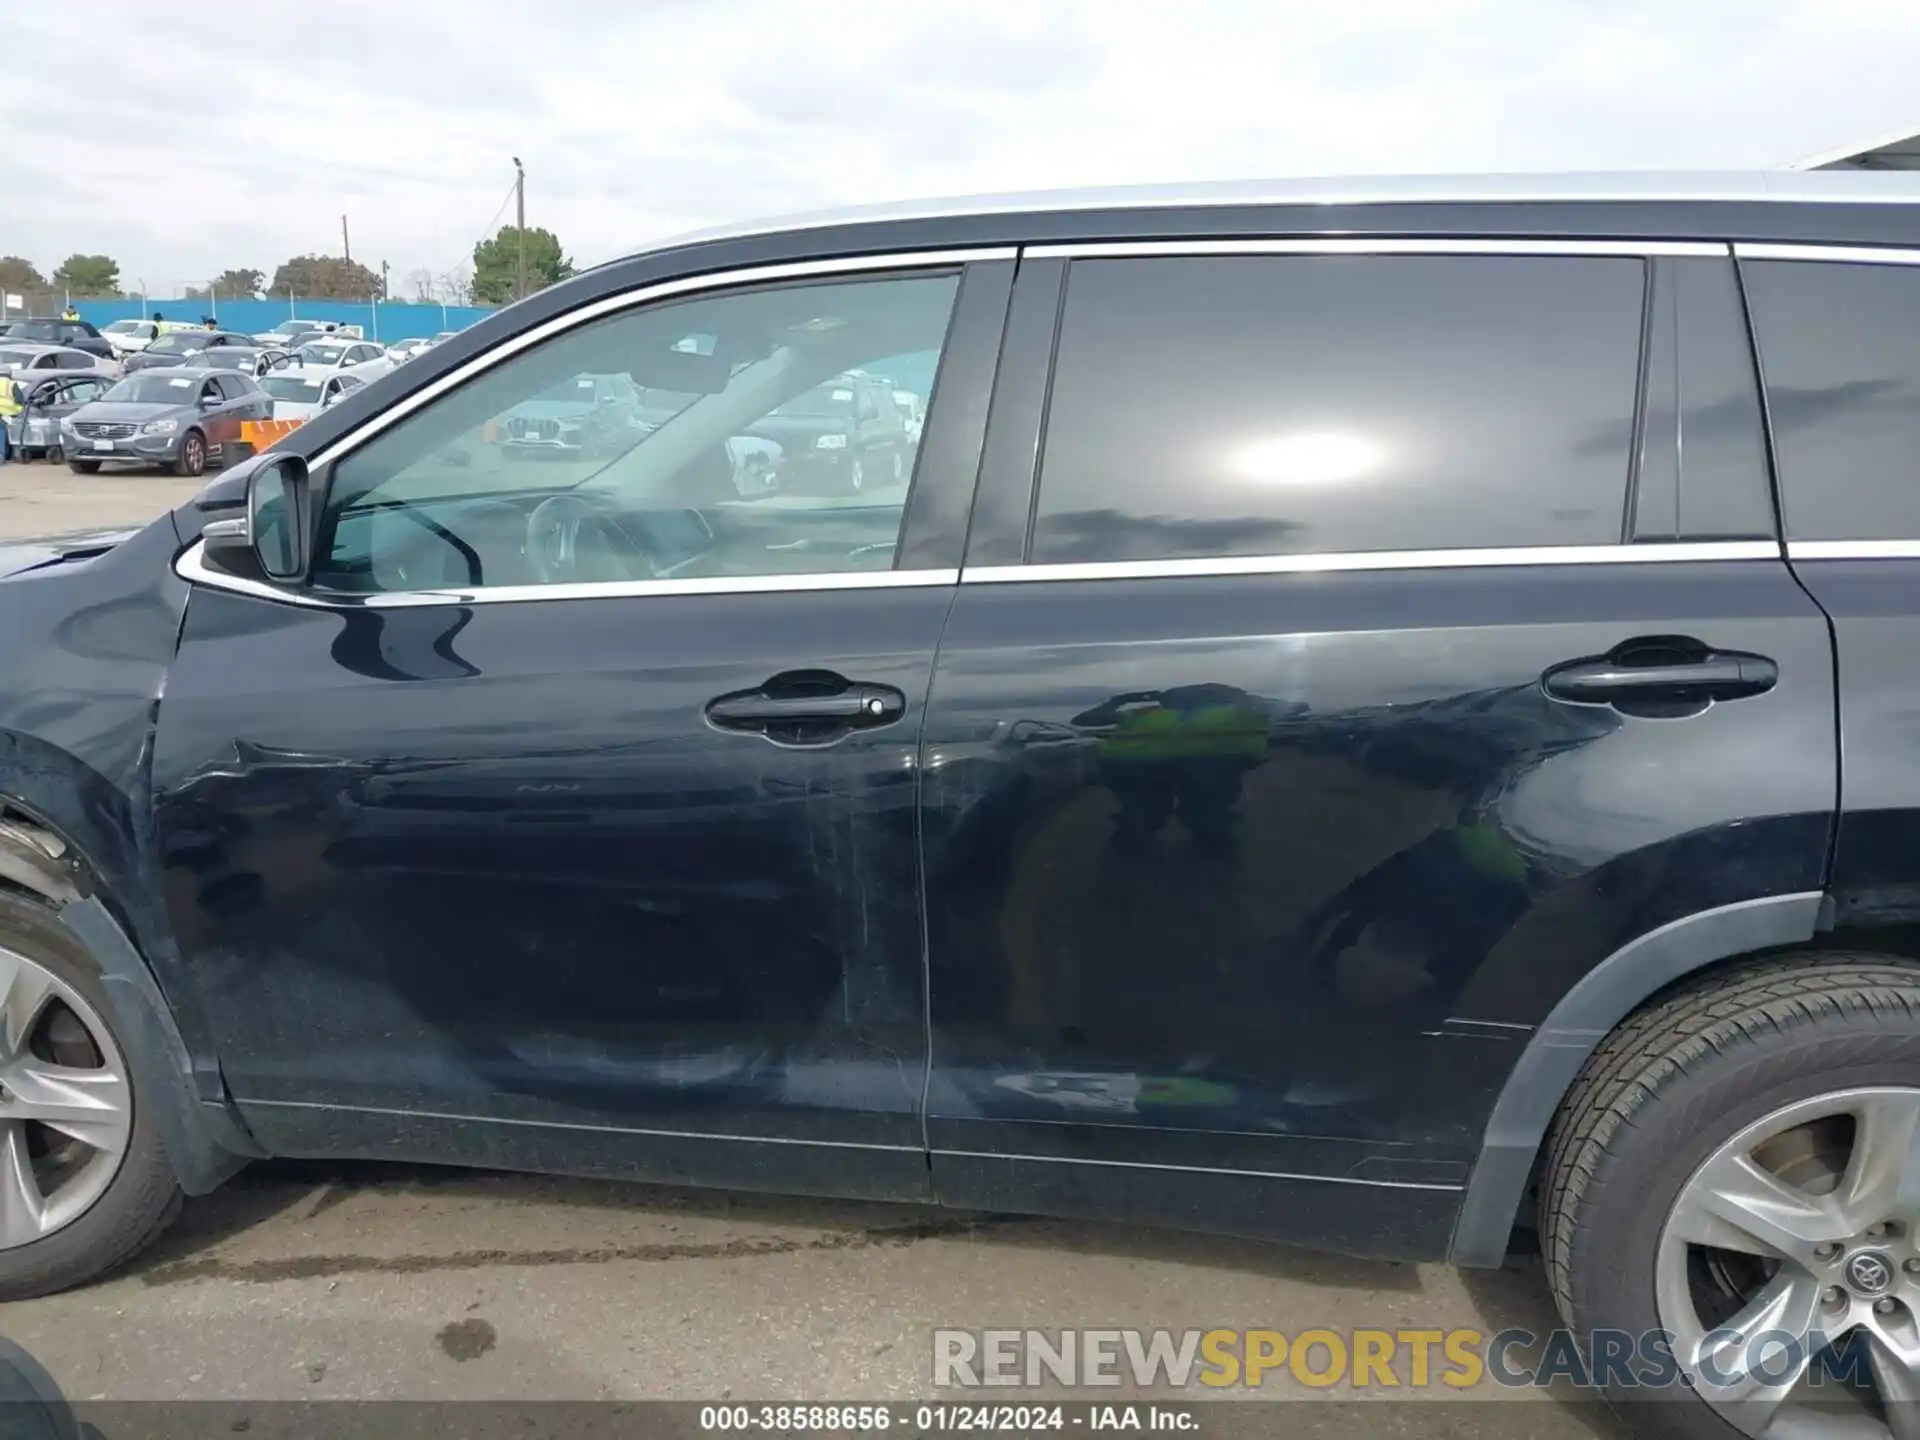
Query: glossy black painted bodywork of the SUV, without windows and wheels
{"points": [[610, 940]]}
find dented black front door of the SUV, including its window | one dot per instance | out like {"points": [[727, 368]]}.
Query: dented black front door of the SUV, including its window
{"points": [[569, 813]]}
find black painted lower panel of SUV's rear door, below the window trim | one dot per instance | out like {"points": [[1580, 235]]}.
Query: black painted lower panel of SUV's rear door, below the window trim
{"points": [[1249, 948]]}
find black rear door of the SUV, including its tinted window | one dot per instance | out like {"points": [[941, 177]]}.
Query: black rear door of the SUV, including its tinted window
{"points": [[1257, 846]]}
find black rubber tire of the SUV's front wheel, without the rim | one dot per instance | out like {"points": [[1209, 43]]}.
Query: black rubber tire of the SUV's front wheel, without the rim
{"points": [[141, 1199]]}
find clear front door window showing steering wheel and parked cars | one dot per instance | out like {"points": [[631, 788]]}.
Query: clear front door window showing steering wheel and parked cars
{"points": [[702, 439]]}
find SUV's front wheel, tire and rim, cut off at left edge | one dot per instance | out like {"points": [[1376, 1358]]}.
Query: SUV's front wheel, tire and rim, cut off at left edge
{"points": [[84, 1180]]}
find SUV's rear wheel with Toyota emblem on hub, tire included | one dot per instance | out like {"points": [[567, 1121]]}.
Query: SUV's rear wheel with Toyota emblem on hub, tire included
{"points": [[1739, 1168]]}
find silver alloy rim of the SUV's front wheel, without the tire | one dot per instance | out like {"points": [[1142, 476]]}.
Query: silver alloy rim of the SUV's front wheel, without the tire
{"points": [[66, 1103]]}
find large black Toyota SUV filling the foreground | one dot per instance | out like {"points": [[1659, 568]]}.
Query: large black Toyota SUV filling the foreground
{"points": [[1378, 715]]}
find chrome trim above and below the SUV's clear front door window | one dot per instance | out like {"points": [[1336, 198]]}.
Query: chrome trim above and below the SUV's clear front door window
{"points": [[193, 567]]}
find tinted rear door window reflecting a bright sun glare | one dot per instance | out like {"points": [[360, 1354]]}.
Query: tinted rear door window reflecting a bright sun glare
{"points": [[1310, 404]]}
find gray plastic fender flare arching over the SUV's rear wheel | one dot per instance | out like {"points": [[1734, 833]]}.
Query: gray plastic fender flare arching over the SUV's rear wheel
{"points": [[1600, 1001]]}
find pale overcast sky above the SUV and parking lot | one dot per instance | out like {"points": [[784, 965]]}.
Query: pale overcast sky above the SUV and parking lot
{"points": [[185, 139]]}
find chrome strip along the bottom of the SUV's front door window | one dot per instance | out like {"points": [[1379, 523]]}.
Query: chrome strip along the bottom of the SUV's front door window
{"points": [[195, 569]]}
